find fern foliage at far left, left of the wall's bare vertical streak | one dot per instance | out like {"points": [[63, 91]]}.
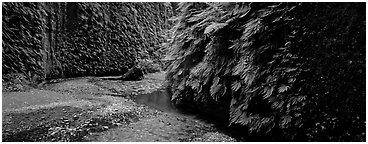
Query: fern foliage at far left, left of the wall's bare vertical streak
{"points": [[21, 45]]}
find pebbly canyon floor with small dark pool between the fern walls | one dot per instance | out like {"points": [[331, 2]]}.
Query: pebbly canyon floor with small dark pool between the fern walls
{"points": [[97, 110]]}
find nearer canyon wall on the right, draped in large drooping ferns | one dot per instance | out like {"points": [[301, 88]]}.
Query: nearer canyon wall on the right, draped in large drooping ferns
{"points": [[281, 71]]}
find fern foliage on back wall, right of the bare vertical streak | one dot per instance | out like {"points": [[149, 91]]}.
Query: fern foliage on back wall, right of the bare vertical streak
{"points": [[112, 37]]}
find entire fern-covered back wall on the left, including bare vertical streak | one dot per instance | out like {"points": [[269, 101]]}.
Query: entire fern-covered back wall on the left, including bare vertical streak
{"points": [[49, 40]]}
